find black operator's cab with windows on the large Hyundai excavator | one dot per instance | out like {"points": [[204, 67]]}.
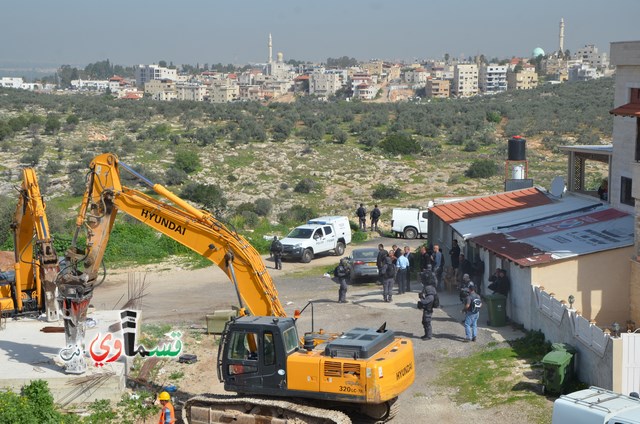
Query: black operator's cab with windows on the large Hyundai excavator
{"points": [[253, 353]]}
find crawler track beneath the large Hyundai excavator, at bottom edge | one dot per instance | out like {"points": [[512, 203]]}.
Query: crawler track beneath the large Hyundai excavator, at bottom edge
{"points": [[207, 409]]}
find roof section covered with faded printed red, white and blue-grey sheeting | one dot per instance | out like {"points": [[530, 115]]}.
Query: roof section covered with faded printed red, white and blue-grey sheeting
{"points": [[560, 237]]}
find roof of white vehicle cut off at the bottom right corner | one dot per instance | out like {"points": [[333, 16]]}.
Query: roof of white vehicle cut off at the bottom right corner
{"points": [[596, 406]]}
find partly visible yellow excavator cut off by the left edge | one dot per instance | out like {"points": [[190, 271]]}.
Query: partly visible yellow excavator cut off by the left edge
{"points": [[32, 288]]}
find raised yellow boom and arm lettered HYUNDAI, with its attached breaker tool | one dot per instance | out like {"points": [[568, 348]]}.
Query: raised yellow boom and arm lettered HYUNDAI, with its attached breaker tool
{"points": [[192, 227]]}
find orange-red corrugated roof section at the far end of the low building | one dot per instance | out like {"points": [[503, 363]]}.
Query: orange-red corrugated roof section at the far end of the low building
{"points": [[497, 203]]}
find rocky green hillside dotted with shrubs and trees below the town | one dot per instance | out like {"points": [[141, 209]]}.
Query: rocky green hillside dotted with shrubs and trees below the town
{"points": [[265, 167]]}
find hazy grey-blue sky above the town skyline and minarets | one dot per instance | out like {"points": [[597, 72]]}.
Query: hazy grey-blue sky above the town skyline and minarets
{"points": [[130, 32]]}
